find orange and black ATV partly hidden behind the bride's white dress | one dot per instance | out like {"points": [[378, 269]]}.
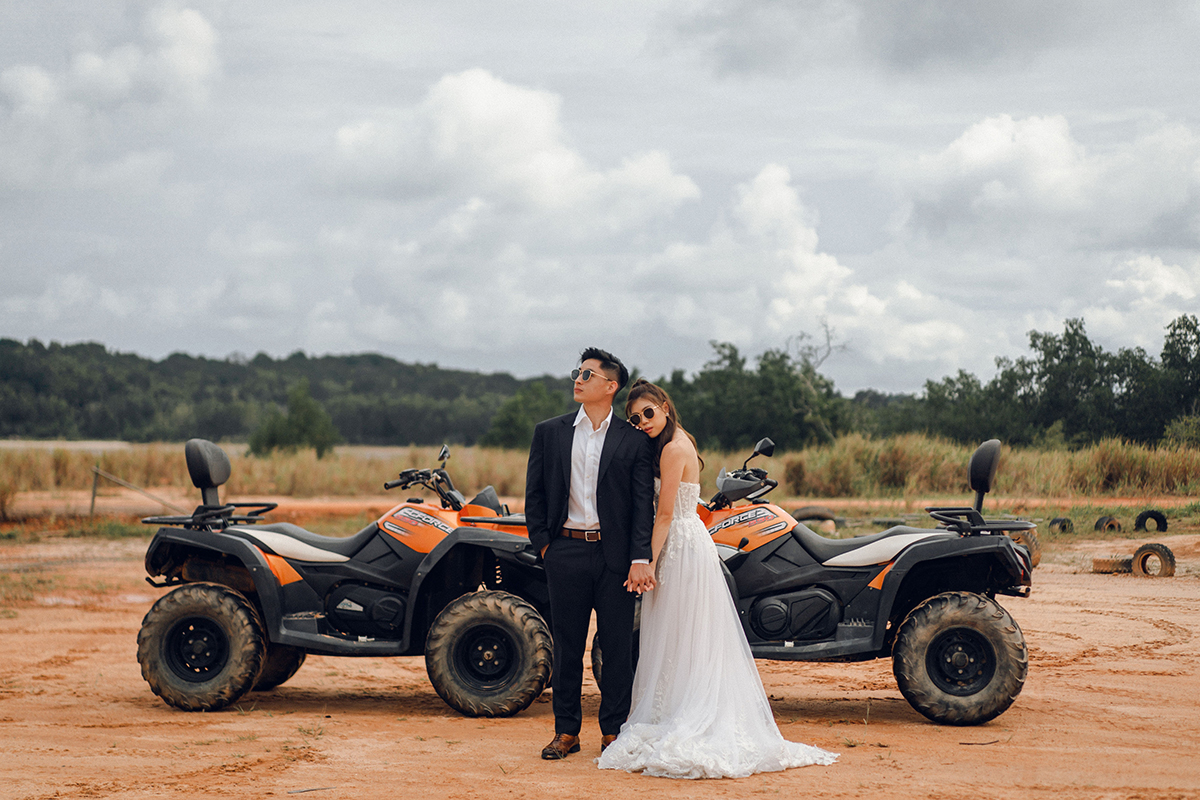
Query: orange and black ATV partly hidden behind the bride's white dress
{"points": [[927, 598]]}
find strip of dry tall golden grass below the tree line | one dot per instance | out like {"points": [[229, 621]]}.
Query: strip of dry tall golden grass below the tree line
{"points": [[853, 467]]}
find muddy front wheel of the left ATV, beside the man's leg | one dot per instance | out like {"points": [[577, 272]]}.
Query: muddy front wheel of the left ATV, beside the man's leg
{"points": [[489, 654]]}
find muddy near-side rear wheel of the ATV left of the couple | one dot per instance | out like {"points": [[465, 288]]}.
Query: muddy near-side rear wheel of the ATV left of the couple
{"points": [[202, 647]]}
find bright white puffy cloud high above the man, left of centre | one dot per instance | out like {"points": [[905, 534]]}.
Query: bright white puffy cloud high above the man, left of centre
{"points": [[478, 136]]}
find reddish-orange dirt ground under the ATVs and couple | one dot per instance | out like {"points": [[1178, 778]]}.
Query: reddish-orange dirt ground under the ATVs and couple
{"points": [[1112, 707]]}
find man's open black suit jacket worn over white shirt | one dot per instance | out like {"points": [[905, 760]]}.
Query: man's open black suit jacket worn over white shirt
{"points": [[625, 489]]}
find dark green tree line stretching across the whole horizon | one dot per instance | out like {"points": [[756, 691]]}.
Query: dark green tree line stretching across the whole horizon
{"points": [[1070, 392]]}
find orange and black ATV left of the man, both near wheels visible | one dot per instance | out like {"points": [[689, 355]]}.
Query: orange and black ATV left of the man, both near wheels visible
{"points": [[458, 582]]}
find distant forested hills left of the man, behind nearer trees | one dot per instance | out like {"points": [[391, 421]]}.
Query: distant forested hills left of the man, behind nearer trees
{"points": [[86, 392]]}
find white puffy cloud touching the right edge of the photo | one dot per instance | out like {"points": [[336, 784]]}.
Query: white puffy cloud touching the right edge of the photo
{"points": [[1029, 184]]}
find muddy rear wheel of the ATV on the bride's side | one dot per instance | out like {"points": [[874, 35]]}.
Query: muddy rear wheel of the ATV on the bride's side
{"points": [[961, 659]]}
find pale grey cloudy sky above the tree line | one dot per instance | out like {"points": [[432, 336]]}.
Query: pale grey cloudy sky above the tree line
{"points": [[493, 187]]}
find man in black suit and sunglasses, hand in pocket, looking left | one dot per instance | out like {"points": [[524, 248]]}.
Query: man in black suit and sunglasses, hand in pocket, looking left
{"points": [[590, 507]]}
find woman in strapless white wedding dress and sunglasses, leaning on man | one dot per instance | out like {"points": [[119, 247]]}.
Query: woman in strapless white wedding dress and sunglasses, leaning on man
{"points": [[699, 709]]}
